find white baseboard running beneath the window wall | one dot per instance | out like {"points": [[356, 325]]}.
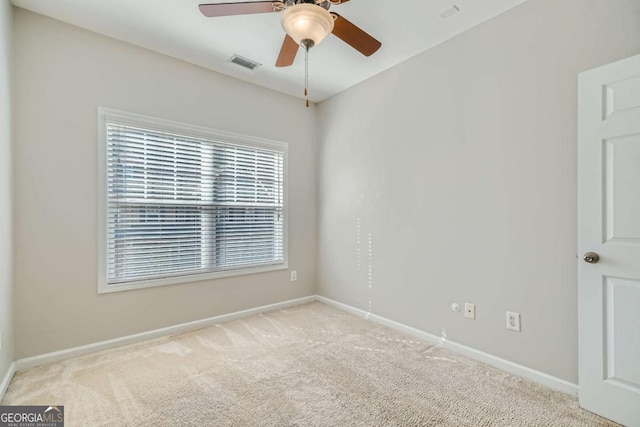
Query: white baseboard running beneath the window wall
{"points": [[57, 356]]}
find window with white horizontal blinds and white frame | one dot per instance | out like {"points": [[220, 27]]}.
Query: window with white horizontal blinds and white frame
{"points": [[182, 203]]}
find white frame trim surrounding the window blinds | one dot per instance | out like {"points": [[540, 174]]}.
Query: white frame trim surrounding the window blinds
{"points": [[115, 116]]}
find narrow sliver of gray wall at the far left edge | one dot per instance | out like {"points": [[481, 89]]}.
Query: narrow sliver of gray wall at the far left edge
{"points": [[6, 285]]}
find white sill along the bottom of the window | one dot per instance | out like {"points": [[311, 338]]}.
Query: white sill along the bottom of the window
{"points": [[104, 288]]}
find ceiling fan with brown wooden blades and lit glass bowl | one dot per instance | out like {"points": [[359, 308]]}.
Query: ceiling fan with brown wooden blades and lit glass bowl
{"points": [[306, 22]]}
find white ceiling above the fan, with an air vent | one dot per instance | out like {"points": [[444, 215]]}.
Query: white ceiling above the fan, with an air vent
{"points": [[176, 28]]}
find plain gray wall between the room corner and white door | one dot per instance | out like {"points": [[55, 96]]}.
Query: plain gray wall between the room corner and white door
{"points": [[460, 164]]}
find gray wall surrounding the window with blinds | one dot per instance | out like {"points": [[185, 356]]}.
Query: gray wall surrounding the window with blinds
{"points": [[62, 74]]}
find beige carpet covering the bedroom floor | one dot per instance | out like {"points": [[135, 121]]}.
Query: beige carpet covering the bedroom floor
{"points": [[310, 365]]}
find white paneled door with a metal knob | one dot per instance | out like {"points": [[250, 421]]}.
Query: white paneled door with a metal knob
{"points": [[609, 225]]}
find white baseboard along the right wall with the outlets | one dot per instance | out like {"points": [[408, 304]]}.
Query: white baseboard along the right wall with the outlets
{"points": [[506, 365]]}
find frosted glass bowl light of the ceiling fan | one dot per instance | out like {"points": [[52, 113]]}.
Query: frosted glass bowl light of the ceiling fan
{"points": [[307, 21]]}
